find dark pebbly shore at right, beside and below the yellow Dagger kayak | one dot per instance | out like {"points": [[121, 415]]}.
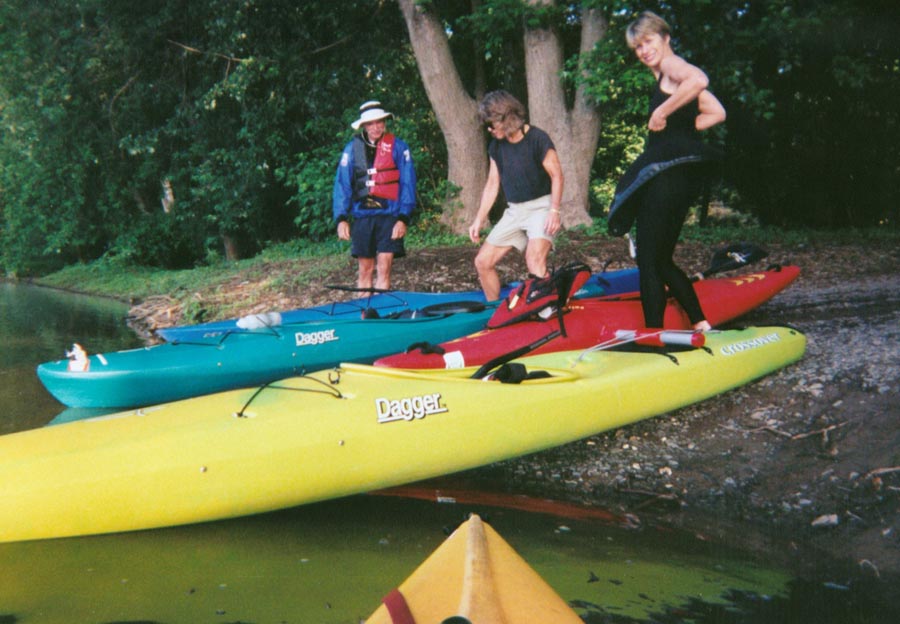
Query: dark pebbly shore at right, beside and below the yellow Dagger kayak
{"points": [[803, 463]]}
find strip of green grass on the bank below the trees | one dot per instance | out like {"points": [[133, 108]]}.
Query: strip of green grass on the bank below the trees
{"points": [[296, 264]]}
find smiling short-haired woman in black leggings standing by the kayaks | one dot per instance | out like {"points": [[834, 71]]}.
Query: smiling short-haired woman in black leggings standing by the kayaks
{"points": [[660, 186]]}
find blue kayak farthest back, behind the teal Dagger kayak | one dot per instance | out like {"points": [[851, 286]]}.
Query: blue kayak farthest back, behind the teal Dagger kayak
{"points": [[381, 302]]}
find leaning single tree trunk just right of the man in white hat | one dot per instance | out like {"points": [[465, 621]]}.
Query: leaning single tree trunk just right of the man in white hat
{"points": [[456, 113]]}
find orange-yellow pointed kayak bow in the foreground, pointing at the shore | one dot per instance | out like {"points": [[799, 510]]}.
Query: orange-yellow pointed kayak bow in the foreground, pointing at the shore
{"points": [[474, 576]]}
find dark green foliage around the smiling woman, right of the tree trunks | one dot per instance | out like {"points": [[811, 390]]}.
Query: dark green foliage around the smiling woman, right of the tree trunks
{"points": [[811, 136]]}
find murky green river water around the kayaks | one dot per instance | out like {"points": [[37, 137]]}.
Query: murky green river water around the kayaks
{"points": [[333, 562]]}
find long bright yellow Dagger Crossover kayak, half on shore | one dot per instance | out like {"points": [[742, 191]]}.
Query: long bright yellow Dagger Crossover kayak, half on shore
{"points": [[345, 431]]}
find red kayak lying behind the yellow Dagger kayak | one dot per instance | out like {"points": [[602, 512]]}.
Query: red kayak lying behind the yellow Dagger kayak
{"points": [[589, 322]]}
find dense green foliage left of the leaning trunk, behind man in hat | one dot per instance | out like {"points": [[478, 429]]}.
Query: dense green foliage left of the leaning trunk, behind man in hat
{"points": [[238, 109]]}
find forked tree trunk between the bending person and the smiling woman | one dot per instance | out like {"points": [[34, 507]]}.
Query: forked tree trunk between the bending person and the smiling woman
{"points": [[575, 132]]}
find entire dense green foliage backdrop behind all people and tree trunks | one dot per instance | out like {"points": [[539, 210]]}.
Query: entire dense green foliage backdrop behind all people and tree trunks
{"points": [[169, 132]]}
